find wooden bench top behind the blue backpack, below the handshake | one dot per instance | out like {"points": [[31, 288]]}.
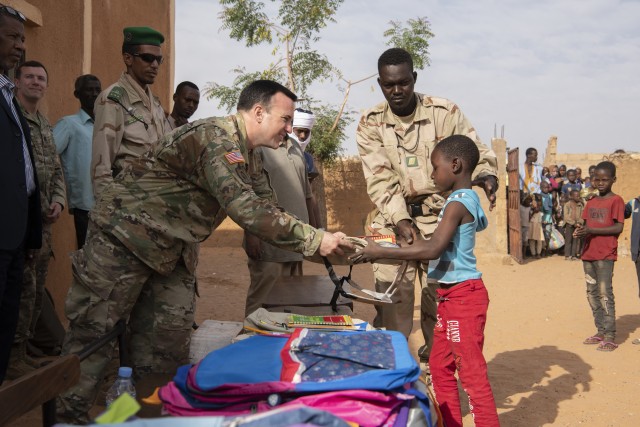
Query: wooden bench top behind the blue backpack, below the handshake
{"points": [[309, 295]]}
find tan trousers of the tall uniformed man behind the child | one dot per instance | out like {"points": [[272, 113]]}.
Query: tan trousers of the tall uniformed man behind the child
{"points": [[399, 316]]}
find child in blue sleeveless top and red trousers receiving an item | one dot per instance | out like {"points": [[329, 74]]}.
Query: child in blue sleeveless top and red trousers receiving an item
{"points": [[463, 300]]}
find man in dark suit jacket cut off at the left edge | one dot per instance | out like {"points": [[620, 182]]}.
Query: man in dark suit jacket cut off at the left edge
{"points": [[20, 220]]}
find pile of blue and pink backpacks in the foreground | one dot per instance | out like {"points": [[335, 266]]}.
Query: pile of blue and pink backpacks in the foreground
{"points": [[366, 378]]}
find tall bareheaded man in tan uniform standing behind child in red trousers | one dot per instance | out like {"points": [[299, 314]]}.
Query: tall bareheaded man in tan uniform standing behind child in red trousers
{"points": [[395, 139]]}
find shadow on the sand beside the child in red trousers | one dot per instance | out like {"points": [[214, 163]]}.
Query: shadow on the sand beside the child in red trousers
{"points": [[528, 385]]}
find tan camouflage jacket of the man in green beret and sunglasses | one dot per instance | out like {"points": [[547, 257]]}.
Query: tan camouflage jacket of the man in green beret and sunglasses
{"points": [[128, 120]]}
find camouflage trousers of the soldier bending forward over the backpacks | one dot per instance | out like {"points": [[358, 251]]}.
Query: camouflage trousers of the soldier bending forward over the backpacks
{"points": [[109, 284]]}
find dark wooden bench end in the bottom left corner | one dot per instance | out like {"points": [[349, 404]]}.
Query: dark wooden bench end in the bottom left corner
{"points": [[40, 387]]}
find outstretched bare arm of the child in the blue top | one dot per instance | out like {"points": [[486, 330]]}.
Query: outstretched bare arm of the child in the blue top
{"points": [[421, 250]]}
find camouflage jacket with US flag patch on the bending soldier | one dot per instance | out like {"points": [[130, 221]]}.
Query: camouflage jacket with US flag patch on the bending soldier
{"points": [[182, 189]]}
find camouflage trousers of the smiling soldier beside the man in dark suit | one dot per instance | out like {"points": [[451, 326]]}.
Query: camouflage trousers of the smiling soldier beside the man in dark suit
{"points": [[35, 277]]}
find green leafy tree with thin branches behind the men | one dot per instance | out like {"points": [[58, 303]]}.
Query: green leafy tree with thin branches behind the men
{"points": [[292, 30]]}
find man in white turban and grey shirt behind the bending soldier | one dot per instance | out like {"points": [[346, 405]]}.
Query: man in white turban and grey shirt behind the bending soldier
{"points": [[287, 171]]}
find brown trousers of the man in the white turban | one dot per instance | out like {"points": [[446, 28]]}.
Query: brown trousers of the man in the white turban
{"points": [[264, 275]]}
